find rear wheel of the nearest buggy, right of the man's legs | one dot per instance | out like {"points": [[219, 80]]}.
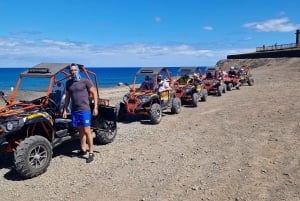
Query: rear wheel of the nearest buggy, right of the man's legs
{"points": [[105, 131]]}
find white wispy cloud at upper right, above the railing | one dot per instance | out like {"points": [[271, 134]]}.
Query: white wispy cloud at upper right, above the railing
{"points": [[273, 25]]}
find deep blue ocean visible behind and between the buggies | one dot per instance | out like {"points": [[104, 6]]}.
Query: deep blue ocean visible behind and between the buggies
{"points": [[107, 76]]}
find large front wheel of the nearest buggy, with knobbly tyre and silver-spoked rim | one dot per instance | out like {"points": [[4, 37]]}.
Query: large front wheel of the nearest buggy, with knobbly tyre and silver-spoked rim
{"points": [[33, 156]]}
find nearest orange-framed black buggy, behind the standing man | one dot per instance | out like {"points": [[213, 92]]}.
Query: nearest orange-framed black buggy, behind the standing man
{"points": [[32, 127]]}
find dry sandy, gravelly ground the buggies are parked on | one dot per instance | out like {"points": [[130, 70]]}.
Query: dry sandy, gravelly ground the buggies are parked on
{"points": [[244, 145]]}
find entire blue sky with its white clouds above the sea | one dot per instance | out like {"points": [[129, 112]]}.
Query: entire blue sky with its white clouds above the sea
{"points": [[124, 33]]}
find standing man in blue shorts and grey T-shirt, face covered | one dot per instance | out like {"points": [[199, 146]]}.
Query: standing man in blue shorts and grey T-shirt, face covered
{"points": [[77, 90]]}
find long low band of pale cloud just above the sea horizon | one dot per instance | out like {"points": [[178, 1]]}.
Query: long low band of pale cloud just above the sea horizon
{"points": [[21, 52]]}
